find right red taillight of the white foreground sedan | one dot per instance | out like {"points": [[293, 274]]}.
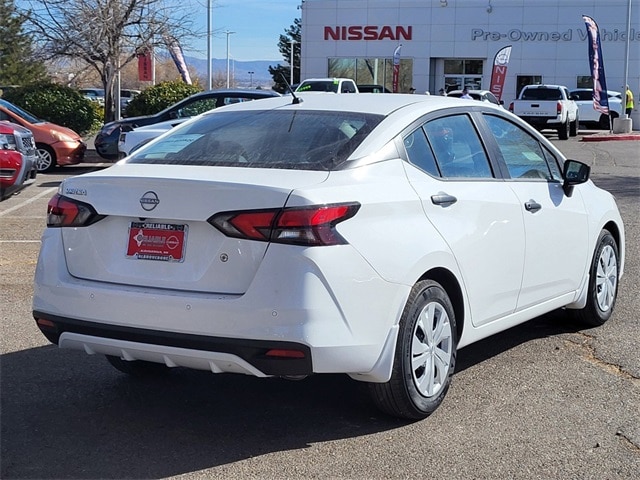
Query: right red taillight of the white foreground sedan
{"points": [[311, 226]]}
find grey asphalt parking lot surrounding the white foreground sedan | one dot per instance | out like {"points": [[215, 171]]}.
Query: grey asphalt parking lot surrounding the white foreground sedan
{"points": [[545, 400]]}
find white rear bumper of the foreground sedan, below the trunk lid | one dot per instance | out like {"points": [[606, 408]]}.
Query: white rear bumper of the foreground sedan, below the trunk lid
{"points": [[341, 324]]}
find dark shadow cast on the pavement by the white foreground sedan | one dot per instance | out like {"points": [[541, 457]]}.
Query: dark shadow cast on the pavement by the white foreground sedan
{"points": [[69, 415]]}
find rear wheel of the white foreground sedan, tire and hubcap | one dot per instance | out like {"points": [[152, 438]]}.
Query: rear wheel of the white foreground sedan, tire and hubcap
{"points": [[425, 355]]}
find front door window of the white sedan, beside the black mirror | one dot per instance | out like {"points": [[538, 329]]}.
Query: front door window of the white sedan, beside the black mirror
{"points": [[524, 156]]}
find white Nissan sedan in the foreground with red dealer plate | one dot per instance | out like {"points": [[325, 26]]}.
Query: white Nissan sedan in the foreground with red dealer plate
{"points": [[317, 234]]}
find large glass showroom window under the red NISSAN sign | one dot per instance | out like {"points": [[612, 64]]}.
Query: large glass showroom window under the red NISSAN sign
{"points": [[377, 71]]}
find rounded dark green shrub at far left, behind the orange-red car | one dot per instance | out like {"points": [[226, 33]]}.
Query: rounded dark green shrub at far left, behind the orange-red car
{"points": [[57, 104]]}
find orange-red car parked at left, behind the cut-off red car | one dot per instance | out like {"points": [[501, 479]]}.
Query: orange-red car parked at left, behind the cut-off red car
{"points": [[55, 145]]}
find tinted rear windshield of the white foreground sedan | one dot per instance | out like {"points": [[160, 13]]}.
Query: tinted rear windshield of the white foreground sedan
{"points": [[303, 140]]}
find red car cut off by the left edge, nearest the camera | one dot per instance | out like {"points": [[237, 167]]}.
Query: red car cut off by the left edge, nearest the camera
{"points": [[18, 161]]}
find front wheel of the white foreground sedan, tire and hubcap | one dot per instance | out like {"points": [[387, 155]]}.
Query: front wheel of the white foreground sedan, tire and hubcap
{"points": [[603, 283]]}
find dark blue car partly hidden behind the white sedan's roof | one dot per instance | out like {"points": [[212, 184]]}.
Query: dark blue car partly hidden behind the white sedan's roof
{"points": [[106, 141]]}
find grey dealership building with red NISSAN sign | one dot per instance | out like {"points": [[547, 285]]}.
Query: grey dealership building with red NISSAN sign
{"points": [[450, 44]]}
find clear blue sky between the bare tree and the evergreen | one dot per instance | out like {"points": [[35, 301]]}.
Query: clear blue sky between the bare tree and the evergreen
{"points": [[258, 25]]}
